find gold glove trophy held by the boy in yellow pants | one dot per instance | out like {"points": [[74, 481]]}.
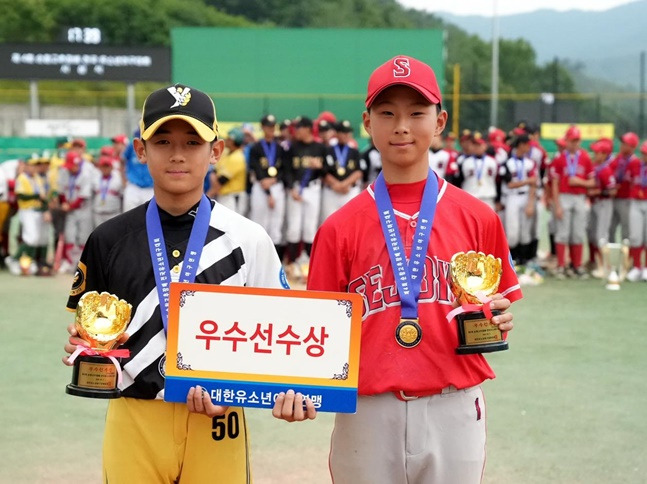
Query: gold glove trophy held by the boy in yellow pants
{"points": [[100, 320]]}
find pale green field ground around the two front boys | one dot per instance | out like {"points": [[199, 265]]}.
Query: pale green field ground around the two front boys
{"points": [[567, 405]]}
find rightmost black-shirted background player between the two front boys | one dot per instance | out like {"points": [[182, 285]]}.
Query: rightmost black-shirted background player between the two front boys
{"points": [[343, 172]]}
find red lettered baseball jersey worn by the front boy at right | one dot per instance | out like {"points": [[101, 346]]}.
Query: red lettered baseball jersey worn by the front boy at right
{"points": [[350, 255]]}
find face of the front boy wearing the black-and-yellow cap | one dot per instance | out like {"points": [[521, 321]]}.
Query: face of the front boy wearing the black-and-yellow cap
{"points": [[177, 158]]}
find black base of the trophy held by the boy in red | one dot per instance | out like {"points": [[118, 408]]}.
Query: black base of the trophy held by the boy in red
{"points": [[476, 334]]}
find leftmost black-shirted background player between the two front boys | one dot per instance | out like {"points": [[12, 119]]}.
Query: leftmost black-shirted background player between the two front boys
{"points": [[267, 201]]}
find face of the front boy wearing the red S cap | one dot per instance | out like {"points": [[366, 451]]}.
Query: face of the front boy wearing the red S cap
{"points": [[402, 124]]}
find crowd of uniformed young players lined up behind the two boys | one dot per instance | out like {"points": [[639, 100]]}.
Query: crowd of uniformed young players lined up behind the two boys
{"points": [[297, 172]]}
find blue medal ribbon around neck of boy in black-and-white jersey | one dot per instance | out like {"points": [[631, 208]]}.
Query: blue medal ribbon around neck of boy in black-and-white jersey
{"points": [[157, 248]]}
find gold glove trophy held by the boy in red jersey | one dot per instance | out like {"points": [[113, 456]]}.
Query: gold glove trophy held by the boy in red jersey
{"points": [[474, 277]]}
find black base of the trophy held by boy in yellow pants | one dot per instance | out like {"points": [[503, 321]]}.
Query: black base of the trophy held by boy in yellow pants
{"points": [[94, 377]]}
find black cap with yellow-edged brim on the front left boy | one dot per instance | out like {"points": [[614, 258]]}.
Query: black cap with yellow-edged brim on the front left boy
{"points": [[179, 102]]}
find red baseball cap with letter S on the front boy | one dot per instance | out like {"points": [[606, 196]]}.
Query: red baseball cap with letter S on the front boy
{"points": [[406, 71]]}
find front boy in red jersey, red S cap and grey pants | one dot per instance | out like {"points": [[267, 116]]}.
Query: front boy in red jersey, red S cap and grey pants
{"points": [[421, 414]]}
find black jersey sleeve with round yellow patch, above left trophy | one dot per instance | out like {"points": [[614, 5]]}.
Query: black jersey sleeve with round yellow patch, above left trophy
{"points": [[89, 275]]}
